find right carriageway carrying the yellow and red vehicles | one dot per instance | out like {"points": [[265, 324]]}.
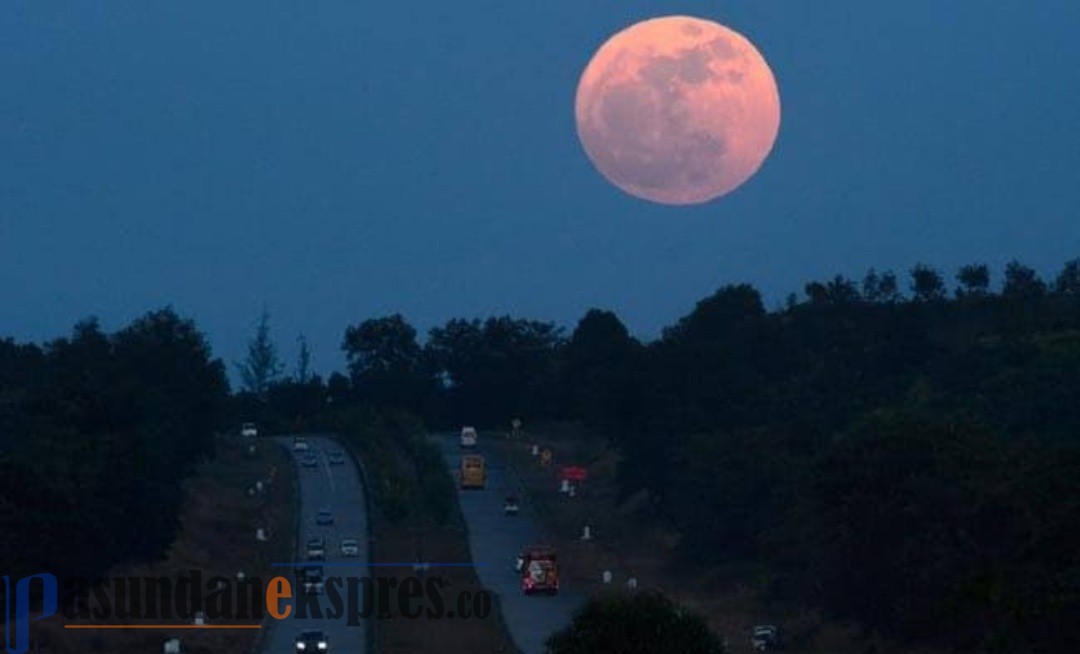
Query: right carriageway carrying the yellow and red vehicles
{"points": [[495, 541]]}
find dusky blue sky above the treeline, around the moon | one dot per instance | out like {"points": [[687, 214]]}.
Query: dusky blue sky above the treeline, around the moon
{"points": [[337, 161]]}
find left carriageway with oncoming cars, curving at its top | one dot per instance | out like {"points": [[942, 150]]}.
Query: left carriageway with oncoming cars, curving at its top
{"points": [[339, 488]]}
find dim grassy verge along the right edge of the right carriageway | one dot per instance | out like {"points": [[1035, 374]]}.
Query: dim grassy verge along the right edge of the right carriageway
{"points": [[630, 544]]}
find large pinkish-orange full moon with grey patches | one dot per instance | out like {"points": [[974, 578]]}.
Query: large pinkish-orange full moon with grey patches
{"points": [[678, 111]]}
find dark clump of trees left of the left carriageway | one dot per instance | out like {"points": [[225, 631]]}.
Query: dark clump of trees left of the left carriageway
{"points": [[97, 433]]}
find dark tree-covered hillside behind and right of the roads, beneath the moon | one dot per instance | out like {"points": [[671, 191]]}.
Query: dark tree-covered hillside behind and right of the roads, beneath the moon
{"points": [[893, 451]]}
